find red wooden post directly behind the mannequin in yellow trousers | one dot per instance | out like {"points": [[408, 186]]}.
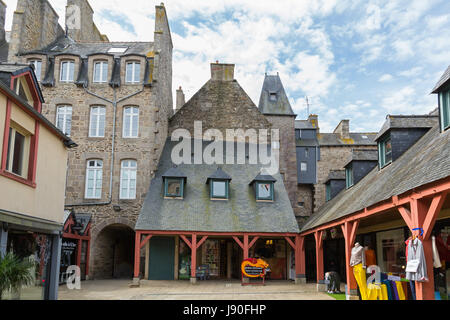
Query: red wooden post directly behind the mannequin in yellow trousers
{"points": [[349, 231]]}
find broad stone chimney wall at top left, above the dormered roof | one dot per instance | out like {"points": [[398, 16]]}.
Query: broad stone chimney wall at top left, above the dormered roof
{"points": [[35, 25]]}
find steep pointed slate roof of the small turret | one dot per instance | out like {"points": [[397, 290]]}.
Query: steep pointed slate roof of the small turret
{"points": [[281, 106]]}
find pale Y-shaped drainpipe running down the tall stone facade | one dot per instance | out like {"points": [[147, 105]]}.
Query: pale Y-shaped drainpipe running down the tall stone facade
{"points": [[113, 143]]}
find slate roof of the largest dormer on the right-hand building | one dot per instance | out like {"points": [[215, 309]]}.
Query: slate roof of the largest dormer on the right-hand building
{"points": [[408, 121]]}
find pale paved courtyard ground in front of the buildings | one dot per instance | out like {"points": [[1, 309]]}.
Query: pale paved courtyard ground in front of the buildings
{"points": [[183, 290]]}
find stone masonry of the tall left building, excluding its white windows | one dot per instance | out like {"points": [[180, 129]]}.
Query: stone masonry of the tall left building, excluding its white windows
{"points": [[112, 217]]}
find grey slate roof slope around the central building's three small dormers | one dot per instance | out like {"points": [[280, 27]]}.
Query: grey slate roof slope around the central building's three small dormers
{"points": [[196, 212]]}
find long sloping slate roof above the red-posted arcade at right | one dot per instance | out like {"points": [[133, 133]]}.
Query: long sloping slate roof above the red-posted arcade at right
{"points": [[425, 162]]}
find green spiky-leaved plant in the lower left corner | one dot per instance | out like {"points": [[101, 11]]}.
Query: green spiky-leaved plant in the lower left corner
{"points": [[14, 273]]}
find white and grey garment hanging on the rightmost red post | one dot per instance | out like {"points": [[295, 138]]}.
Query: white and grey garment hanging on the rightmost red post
{"points": [[416, 268]]}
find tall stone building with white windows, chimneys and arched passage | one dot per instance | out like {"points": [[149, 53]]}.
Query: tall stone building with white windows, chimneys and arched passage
{"points": [[114, 99]]}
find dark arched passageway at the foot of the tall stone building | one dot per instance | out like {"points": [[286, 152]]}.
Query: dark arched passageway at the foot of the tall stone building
{"points": [[114, 252]]}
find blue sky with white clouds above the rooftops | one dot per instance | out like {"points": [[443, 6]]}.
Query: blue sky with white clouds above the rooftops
{"points": [[354, 59]]}
